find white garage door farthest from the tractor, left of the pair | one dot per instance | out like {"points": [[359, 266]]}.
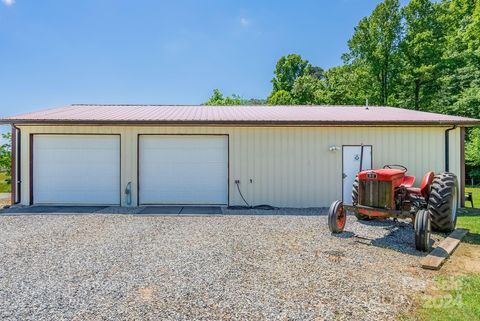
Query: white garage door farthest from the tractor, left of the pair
{"points": [[76, 169]]}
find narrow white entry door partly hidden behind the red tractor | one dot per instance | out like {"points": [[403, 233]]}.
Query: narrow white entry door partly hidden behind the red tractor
{"points": [[352, 157]]}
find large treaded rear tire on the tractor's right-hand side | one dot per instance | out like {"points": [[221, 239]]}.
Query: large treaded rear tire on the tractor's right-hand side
{"points": [[443, 202]]}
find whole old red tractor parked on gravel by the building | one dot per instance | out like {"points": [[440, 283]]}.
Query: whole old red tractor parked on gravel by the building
{"points": [[389, 192]]}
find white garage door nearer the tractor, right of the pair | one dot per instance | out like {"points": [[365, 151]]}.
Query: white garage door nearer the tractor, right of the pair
{"points": [[183, 169]]}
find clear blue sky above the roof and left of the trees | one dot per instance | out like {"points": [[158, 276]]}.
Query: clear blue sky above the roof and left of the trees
{"points": [[56, 52]]}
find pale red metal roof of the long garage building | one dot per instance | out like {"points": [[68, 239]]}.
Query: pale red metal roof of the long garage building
{"points": [[175, 114]]}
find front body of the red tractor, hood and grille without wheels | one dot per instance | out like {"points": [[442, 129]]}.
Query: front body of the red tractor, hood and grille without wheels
{"points": [[381, 188]]}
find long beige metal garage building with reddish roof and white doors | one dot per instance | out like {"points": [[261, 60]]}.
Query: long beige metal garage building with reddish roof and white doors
{"points": [[292, 156]]}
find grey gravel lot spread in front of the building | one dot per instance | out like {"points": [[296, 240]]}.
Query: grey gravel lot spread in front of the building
{"points": [[92, 267]]}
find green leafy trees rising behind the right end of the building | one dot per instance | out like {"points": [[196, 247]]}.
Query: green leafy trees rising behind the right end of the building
{"points": [[423, 56]]}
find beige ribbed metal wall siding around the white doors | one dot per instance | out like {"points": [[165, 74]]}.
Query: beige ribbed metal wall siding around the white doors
{"points": [[289, 166]]}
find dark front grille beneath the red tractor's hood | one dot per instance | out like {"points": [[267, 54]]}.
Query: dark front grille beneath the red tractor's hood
{"points": [[375, 193]]}
